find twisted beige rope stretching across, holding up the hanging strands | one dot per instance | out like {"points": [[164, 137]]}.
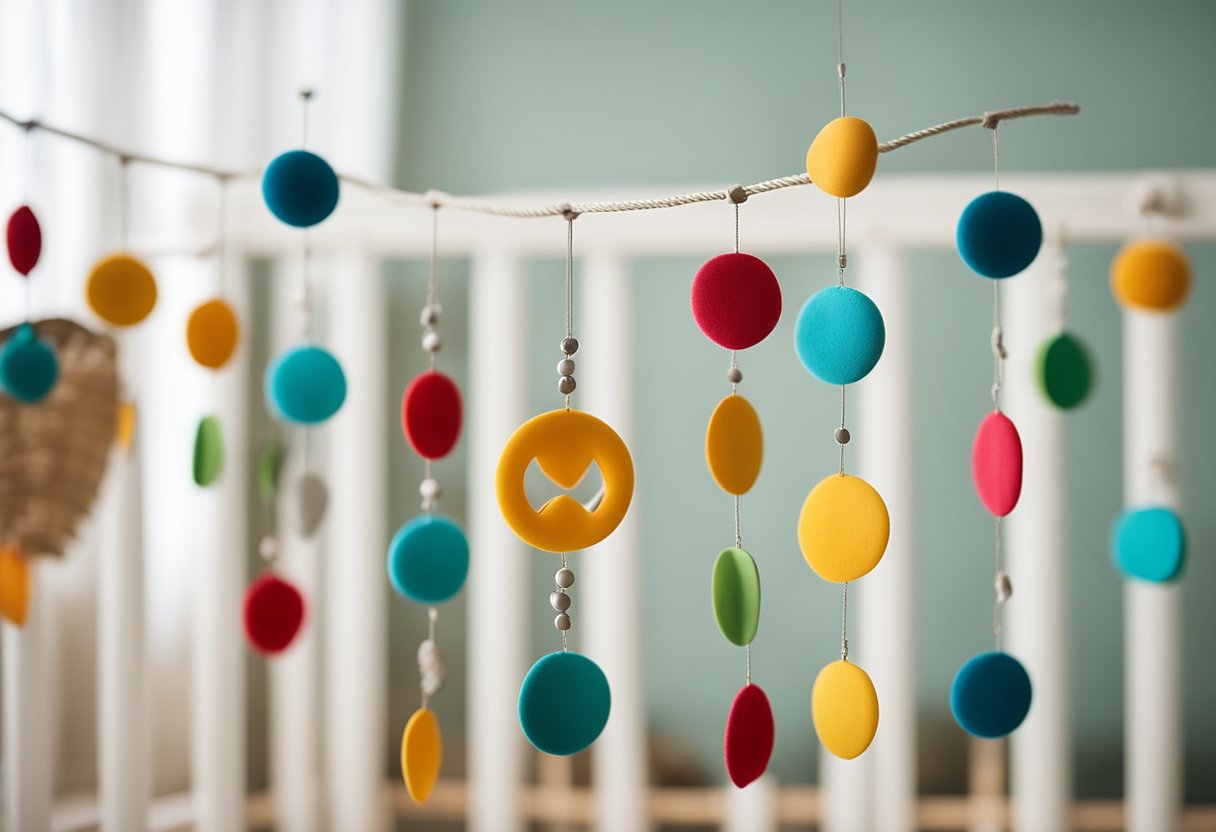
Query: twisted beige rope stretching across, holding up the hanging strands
{"points": [[485, 206]]}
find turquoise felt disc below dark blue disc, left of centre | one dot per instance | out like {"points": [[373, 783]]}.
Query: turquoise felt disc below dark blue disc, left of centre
{"points": [[306, 385]]}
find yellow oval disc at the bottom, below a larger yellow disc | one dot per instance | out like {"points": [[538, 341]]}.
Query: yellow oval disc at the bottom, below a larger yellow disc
{"points": [[845, 709]]}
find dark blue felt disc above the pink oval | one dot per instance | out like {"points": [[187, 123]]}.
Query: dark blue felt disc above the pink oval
{"points": [[999, 234]]}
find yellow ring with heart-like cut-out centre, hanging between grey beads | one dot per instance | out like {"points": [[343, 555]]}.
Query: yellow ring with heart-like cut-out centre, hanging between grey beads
{"points": [[565, 443]]}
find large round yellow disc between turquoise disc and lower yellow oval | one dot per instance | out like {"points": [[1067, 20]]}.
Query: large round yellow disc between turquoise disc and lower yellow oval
{"points": [[843, 529]]}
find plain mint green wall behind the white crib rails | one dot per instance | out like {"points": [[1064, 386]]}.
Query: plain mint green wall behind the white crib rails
{"points": [[545, 94]]}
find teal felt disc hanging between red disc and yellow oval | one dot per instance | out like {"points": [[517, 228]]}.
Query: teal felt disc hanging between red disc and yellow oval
{"points": [[429, 560]]}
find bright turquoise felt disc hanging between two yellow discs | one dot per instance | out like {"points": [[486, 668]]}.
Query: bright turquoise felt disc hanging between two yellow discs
{"points": [[840, 335]]}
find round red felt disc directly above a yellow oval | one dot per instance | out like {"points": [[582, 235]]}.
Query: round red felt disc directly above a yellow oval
{"points": [[736, 301]]}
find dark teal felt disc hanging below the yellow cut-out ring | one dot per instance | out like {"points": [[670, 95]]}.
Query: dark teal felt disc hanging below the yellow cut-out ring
{"points": [[565, 704]]}
